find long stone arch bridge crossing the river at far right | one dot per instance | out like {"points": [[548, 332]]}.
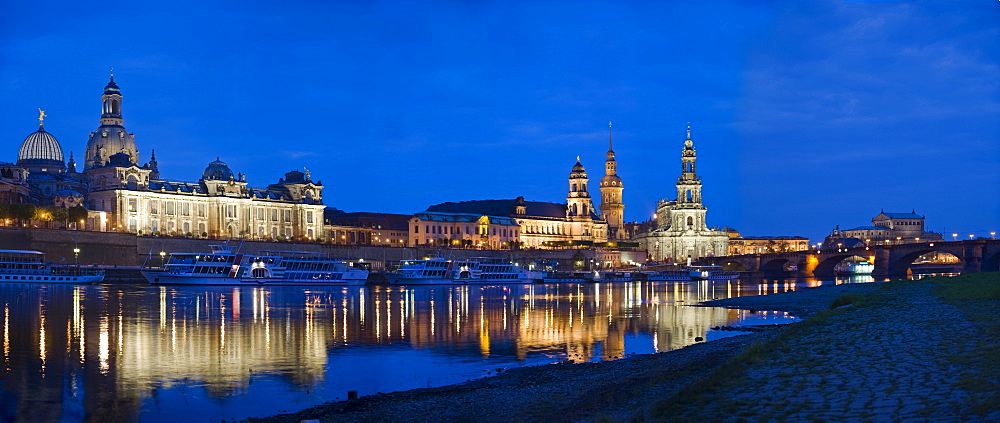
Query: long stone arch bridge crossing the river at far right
{"points": [[981, 255]]}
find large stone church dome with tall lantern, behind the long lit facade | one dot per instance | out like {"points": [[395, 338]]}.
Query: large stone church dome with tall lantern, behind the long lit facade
{"points": [[110, 138]]}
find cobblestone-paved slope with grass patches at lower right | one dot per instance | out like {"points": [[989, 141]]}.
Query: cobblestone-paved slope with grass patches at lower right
{"points": [[800, 356]]}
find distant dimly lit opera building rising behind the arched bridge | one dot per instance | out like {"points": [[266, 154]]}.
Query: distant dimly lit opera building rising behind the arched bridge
{"points": [[886, 228]]}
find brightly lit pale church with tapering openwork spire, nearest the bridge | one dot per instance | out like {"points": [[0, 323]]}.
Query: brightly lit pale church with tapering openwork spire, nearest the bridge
{"points": [[680, 231]]}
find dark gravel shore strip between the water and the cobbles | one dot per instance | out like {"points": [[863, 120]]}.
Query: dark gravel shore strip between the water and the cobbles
{"points": [[617, 390]]}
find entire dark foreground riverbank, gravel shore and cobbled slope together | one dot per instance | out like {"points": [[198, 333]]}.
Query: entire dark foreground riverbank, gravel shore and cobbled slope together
{"points": [[899, 351]]}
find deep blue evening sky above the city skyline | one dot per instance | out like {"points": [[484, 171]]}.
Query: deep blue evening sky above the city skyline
{"points": [[806, 115]]}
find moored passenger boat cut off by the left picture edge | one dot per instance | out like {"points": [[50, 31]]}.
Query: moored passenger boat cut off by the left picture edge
{"points": [[23, 266]]}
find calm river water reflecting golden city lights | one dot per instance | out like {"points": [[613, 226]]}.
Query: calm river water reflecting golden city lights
{"points": [[127, 352]]}
